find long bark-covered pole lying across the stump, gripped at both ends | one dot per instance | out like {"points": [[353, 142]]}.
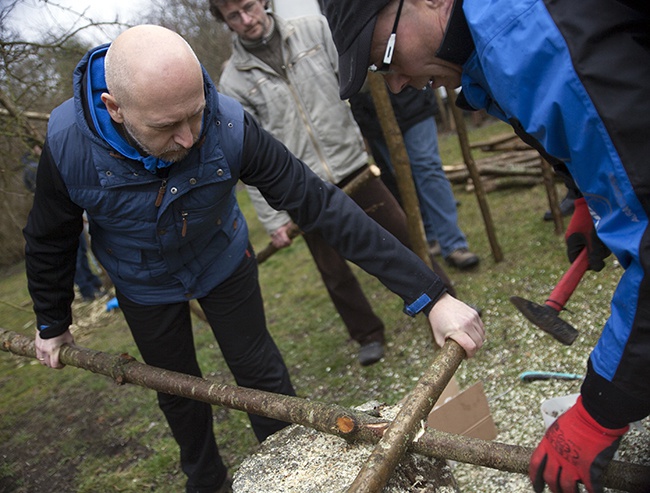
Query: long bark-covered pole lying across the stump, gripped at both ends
{"points": [[356, 427]]}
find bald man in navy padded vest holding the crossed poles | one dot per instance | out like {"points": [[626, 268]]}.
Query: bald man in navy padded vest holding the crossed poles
{"points": [[153, 154]]}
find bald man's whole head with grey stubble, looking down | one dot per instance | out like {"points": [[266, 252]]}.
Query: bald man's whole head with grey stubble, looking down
{"points": [[155, 90]]}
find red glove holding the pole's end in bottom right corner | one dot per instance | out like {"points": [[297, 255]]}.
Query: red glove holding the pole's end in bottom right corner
{"points": [[574, 448]]}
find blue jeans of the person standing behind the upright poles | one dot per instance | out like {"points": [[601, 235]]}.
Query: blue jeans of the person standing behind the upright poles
{"points": [[437, 201]]}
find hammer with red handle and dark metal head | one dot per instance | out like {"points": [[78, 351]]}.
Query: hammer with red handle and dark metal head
{"points": [[547, 316]]}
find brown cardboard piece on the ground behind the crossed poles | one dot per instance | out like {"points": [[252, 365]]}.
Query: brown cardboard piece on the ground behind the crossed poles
{"points": [[463, 413]]}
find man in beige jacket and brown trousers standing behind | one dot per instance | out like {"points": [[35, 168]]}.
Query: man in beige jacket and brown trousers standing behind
{"points": [[284, 72]]}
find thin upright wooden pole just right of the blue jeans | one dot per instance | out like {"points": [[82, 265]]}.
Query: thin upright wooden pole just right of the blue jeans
{"points": [[461, 129]]}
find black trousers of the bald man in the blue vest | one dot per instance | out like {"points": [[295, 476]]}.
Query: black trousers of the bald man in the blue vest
{"points": [[163, 334]]}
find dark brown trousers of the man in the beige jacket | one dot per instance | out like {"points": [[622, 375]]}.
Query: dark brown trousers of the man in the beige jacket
{"points": [[341, 284]]}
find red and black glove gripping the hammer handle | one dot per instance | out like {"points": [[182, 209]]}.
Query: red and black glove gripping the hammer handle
{"points": [[581, 234]]}
